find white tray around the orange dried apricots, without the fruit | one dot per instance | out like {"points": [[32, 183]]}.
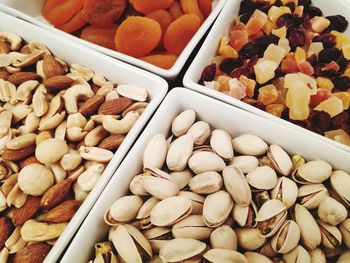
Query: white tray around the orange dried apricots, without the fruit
{"points": [[30, 10]]}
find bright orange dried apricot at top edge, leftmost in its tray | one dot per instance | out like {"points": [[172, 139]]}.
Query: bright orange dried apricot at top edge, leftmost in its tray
{"points": [[59, 12]]}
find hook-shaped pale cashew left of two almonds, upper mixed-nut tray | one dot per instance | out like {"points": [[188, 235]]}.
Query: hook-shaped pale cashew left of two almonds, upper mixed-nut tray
{"points": [[74, 94]]}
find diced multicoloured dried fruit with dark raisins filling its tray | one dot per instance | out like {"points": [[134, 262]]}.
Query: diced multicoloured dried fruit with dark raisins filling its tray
{"points": [[286, 58]]}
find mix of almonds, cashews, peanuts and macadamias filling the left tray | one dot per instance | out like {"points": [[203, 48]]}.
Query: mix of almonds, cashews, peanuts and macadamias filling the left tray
{"points": [[59, 127]]}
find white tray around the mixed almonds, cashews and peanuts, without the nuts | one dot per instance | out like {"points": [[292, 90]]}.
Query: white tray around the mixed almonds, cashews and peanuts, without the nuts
{"points": [[113, 70]]}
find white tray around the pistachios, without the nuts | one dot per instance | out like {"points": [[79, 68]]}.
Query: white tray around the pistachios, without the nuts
{"points": [[218, 115]]}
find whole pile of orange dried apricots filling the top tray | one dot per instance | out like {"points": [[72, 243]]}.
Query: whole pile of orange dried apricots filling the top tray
{"points": [[154, 31]]}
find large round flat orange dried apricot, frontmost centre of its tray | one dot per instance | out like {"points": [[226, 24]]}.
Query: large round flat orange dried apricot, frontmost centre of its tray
{"points": [[137, 36]]}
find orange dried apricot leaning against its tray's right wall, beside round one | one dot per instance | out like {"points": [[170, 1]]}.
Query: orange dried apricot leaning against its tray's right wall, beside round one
{"points": [[180, 32]]}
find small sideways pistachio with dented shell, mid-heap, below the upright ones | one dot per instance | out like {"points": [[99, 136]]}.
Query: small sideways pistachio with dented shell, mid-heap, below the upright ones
{"points": [[206, 183]]}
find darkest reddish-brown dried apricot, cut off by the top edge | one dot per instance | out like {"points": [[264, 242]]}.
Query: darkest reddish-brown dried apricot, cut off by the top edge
{"points": [[103, 12]]}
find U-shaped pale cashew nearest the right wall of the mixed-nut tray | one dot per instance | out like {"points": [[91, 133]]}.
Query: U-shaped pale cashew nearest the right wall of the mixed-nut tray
{"points": [[122, 126]]}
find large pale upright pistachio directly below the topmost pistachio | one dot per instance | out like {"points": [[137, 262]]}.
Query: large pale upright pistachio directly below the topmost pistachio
{"points": [[179, 153]]}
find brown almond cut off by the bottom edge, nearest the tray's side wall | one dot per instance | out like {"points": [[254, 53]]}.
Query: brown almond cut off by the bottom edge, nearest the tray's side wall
{"points": [[33, 253]]}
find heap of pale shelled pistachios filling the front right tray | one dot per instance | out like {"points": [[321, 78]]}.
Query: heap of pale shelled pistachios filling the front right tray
{"points": [[205, 195]]}
